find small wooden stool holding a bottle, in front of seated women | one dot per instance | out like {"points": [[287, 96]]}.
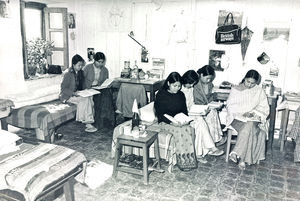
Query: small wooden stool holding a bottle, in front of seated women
{"points": [[141, 142]]}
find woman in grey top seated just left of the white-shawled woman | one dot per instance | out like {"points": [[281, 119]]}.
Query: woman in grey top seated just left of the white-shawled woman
{"points": [[202, 96]]}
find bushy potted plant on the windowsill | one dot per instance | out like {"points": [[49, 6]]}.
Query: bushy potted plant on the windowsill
{"points": [[37, 52]]}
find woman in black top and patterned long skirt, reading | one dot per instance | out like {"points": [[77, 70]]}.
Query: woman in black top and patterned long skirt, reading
{"points": [[170, 100]]}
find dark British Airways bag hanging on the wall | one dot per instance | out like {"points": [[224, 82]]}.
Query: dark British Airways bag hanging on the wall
{"points": [[228, 33]]}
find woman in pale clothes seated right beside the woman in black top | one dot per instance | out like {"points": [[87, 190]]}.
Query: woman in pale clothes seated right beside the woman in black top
{"points": [[204, 143]]}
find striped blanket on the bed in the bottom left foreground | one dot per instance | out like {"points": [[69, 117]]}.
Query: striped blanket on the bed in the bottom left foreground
{"points": [[28, 172]]}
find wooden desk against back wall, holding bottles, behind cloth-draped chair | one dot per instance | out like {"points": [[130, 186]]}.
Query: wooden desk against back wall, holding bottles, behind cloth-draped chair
{"points": [[150, 85]]}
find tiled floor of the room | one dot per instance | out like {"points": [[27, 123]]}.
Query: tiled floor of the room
{"points": [[276, 178]]}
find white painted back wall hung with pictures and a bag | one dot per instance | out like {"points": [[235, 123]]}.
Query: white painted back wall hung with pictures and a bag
{"points": [[185, 47]]}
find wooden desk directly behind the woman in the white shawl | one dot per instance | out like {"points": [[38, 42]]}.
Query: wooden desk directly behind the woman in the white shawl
{"points": [[222, 94]]}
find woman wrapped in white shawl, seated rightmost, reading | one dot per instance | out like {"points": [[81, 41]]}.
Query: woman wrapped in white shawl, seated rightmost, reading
{"points": [[248, 101]]}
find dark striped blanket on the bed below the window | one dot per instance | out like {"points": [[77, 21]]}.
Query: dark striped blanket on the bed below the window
{"points": [[43, 116]]}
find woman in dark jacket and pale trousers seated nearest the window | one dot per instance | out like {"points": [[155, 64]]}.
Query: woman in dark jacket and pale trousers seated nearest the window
{"points": [[72, 82]]}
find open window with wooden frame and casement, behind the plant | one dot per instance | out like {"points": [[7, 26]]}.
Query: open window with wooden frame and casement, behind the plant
{"points": [[39, 21]]}
